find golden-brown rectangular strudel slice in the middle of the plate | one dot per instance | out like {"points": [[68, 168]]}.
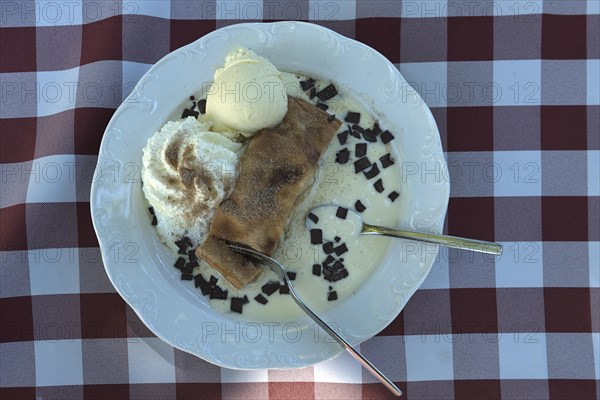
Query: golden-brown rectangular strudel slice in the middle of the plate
{"points": [[278, 166]]}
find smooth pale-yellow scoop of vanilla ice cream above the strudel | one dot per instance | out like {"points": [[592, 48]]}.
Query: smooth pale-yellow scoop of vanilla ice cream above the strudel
{"points": [[247, 94]]}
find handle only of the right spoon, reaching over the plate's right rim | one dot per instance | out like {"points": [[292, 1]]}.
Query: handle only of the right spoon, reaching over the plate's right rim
{"points": [[448, 241]]}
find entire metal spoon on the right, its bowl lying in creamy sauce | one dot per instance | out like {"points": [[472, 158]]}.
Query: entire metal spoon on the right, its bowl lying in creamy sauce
{"points": [[444, 240]]}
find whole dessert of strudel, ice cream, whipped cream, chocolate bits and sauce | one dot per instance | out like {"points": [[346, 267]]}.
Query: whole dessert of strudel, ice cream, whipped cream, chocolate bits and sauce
{"points": [[324, 148]]}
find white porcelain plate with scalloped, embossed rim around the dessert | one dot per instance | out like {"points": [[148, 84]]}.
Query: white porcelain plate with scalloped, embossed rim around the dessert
{"points": [[140, 267]]}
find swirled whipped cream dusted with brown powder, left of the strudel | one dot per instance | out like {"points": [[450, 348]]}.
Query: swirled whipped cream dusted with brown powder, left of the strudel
{"points": [[187, 171]]}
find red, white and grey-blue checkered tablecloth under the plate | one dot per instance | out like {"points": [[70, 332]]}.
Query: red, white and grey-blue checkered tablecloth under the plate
{"points": [[514, 88]]}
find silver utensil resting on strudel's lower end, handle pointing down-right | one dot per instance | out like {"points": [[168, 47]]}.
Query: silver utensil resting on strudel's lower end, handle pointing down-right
{"points": [[280, 271]]}
